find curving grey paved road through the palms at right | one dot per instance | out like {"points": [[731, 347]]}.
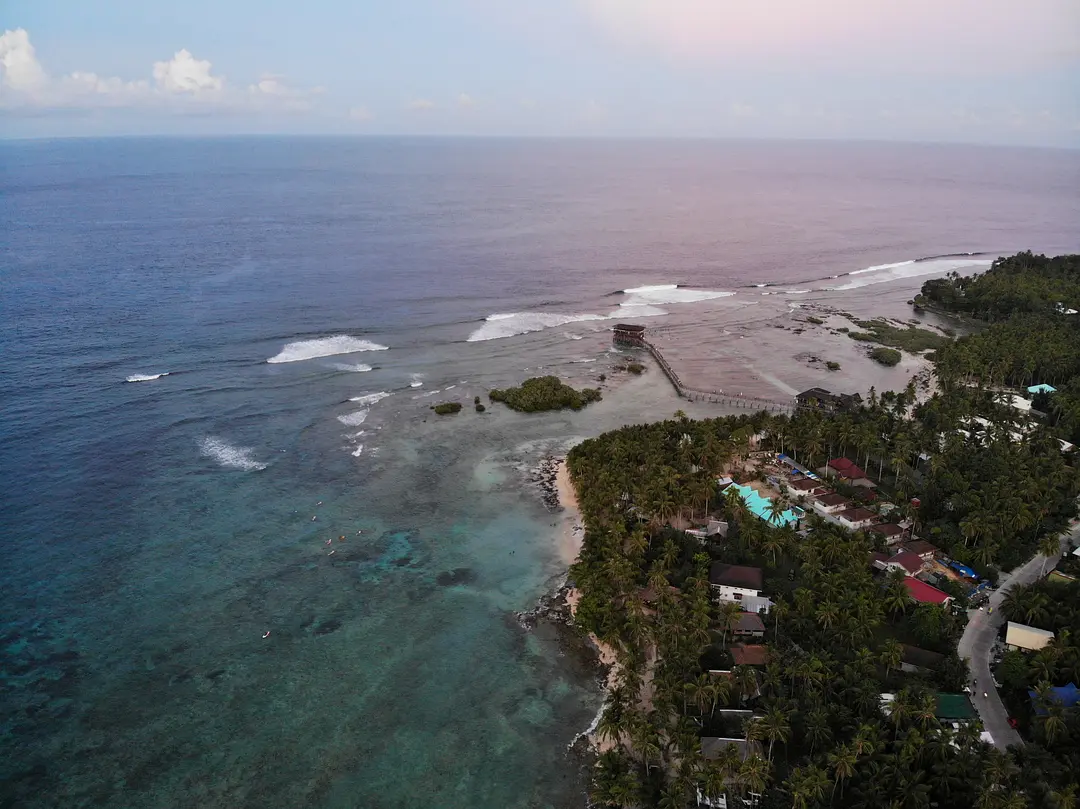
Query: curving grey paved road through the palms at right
{"points": [[979, 638]]}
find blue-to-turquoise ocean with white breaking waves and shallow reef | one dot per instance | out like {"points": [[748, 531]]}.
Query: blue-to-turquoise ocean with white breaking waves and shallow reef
{"points": [[246, 565]]}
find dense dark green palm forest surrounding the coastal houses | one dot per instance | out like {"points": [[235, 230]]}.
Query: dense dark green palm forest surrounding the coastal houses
{"points": [[982, 487]]}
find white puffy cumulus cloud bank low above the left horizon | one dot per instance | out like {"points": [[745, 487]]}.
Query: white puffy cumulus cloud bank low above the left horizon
{"points": [[183, 83]]}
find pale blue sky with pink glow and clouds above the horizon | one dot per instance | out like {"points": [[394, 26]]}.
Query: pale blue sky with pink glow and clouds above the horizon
{"points": [[984, 72]]}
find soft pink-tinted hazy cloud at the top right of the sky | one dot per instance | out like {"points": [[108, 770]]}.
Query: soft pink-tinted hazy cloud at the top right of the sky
{"points": [[917, 36]]}
